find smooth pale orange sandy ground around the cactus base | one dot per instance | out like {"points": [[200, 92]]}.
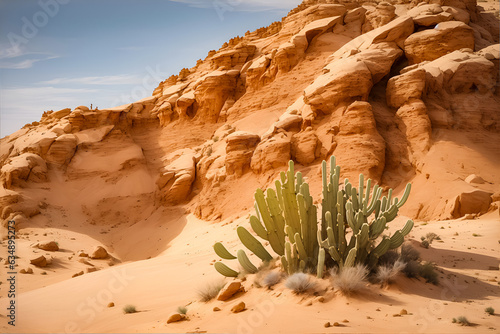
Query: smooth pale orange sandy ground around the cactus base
{"points": [[467, 258]]}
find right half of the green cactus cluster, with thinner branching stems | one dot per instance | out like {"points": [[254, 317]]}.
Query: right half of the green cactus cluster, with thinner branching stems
{"points": [[351, 208]]}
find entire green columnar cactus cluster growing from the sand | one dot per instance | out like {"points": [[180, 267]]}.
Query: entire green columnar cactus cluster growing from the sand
{"points": [[287, 219]]}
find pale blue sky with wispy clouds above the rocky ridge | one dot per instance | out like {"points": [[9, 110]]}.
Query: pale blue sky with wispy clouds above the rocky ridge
{"points": [[65, 53]]}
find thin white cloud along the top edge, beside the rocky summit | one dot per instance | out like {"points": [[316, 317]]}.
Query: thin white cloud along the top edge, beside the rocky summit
{"points": [[242, 5]]}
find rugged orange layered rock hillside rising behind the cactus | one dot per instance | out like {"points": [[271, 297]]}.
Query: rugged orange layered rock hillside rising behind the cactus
{"points": [[378, 86]]}
